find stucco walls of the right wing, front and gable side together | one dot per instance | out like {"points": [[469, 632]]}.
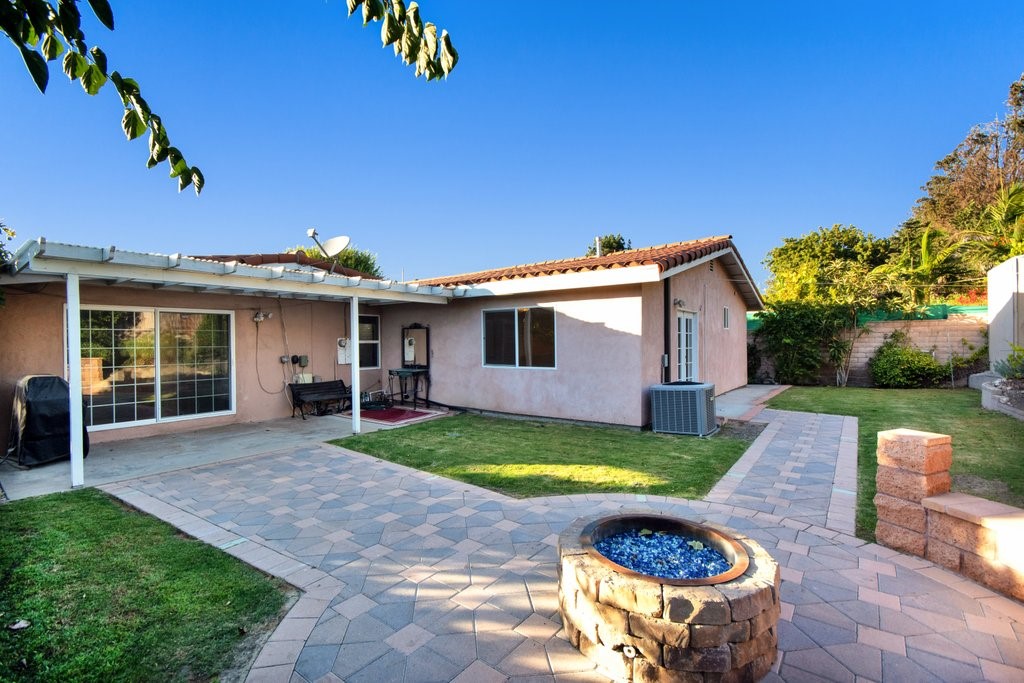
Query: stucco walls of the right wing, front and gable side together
{"points": [[610, 347]]}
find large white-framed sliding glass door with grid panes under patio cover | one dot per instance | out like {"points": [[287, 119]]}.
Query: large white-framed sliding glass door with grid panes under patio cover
{"points": [[143, 366]]}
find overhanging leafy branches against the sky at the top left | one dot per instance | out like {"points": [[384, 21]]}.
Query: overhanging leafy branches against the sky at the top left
{"points": [[44, 31]]}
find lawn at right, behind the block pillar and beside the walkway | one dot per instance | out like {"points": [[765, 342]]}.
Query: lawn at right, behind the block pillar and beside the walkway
{"points": [[989, 448]]}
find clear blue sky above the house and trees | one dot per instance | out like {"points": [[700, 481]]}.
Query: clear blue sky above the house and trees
{"points": [[563, 121]]}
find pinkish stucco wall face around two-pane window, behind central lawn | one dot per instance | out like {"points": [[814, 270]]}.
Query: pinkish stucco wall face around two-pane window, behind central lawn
{"points": [[599, 357]]}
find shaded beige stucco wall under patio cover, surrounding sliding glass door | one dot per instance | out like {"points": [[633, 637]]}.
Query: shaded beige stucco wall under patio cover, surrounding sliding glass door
{"points": [[33, 344]]}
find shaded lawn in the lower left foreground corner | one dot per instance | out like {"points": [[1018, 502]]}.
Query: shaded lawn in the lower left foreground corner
{"points": [[113, 594]]}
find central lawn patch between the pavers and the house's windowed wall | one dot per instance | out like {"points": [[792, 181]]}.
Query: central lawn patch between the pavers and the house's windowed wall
{"points": [[527, 459]]}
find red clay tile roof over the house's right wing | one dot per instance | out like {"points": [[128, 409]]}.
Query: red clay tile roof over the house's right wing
{"points": [[664, 257]]}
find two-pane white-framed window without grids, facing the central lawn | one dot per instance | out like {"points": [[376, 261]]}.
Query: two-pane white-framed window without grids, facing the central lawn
{"points": [[520, 337]]}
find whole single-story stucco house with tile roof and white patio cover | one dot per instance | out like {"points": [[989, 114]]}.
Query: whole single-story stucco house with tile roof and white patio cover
{"points": [[156, 344]]}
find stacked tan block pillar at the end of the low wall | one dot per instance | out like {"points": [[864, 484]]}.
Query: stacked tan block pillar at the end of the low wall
{"points": [[913, 465]]}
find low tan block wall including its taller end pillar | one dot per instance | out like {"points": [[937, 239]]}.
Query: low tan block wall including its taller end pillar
{"points": [[918, 515]]}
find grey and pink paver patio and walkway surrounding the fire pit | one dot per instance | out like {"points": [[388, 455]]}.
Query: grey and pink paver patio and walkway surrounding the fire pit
{"points": [[410, 577]]}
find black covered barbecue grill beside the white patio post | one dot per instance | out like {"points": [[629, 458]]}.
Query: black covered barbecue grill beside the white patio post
{"points": [[40, 422]]}
